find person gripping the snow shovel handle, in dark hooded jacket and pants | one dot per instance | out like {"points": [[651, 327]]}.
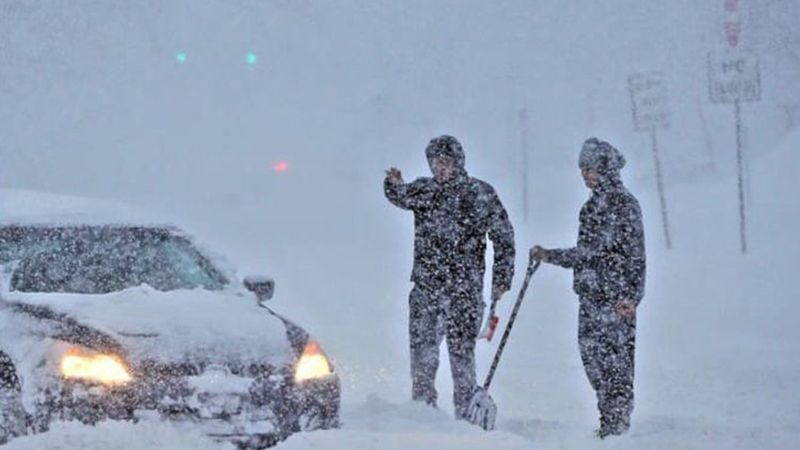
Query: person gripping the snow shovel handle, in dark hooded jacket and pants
{"points": [[608, 264]]}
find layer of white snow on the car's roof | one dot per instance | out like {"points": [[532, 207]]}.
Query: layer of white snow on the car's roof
{"points": [[25, 207]]}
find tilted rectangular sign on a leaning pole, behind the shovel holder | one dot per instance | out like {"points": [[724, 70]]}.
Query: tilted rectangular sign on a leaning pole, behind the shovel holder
{"points": [[650, 105]]}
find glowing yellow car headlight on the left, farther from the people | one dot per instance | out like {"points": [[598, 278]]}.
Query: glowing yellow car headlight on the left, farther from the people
{"points": [[107, 369]]}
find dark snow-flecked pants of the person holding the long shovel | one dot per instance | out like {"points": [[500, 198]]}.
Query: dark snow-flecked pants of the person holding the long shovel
{"points": [[607, 343]]}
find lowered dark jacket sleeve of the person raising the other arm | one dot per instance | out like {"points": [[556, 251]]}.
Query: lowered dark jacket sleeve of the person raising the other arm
{"points": [[501, 233]]}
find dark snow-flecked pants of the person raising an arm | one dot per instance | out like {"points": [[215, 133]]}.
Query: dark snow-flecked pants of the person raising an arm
{"points": [[436, 313]]}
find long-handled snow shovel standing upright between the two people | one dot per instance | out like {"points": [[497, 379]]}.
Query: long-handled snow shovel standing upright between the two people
{"points": [[482, 411]]}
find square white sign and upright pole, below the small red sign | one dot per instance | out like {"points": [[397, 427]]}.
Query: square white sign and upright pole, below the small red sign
{"points": [[734, 77]]}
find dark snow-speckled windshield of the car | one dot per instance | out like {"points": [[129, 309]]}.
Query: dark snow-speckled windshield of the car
{"points": [[103, 259]]}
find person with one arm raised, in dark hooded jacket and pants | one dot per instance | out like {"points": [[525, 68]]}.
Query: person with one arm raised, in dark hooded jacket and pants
{"points": [[453, 214]]}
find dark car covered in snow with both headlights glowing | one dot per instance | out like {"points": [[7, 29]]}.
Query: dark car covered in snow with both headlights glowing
{"points": [[104, 315]]}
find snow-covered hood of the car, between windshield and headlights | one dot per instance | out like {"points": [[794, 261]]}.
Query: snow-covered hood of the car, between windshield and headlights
{"points": [[167, 327]]}
